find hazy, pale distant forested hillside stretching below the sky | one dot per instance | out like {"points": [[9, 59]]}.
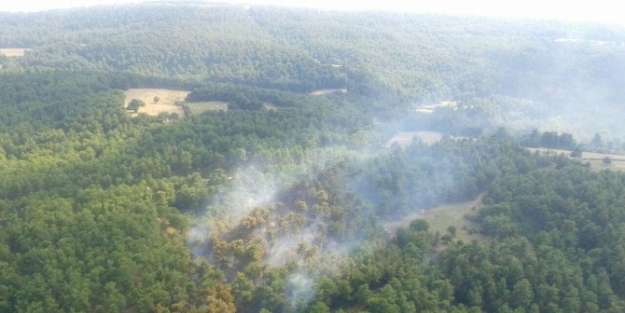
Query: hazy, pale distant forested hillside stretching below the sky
{"points": [[549, 74]]}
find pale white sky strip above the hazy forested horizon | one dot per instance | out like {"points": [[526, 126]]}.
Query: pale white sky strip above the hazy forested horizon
{"points": [[597, 11]]}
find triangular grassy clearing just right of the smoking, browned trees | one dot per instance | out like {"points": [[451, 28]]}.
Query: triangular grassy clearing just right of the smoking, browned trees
{"points": [[441, 217]]}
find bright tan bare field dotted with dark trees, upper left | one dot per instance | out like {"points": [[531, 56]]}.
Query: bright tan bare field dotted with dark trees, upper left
{"points": [[167, 100]]}
